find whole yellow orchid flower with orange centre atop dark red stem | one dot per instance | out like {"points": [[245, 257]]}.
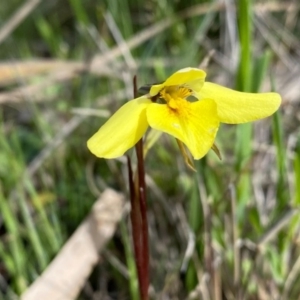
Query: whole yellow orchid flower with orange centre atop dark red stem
{"points": [[171, 108]]}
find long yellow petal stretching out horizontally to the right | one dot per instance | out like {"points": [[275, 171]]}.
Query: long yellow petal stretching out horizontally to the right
{"points": [[236, 107]]}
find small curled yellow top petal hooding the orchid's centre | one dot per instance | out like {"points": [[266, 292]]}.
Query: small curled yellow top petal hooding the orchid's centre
{"points": [[192, 78]]}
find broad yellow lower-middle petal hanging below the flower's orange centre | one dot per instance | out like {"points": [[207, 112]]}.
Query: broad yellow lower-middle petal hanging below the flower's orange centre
{"points": [[195, 124]]}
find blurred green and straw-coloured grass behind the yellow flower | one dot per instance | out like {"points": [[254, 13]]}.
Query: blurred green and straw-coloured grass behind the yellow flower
{"points": [[229, 231]]}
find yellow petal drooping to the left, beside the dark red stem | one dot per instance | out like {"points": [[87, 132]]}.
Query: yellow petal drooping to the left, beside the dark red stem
{"points": [[122, 130]]}
